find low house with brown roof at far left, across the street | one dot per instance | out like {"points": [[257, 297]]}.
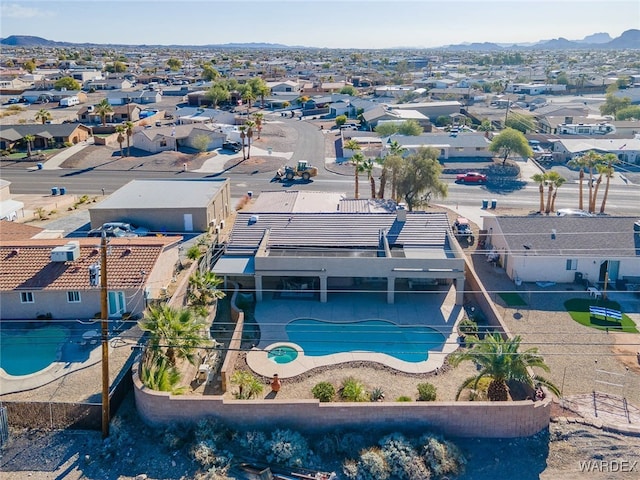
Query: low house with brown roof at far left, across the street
{"points": [[46, 136]]}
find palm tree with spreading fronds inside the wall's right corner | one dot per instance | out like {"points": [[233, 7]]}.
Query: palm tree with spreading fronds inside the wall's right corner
{"points": [[499, 359]]}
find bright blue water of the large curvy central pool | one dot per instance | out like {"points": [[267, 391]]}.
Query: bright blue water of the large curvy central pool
{"points": [[408, 343]]}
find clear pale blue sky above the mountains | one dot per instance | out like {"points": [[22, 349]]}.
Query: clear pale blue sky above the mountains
{"points": [[316, 23]]}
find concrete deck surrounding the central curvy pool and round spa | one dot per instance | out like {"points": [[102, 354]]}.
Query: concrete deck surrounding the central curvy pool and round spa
{"points": [[435, 309]]}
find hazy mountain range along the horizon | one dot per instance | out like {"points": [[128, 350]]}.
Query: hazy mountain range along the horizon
{"points": [[629, 39]]}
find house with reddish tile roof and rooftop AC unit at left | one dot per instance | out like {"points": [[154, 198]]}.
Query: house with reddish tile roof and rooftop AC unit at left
{"points": [[60, 278]]}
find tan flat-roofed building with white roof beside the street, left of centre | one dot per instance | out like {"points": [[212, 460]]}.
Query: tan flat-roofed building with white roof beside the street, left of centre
{"points": [[184, 206]]}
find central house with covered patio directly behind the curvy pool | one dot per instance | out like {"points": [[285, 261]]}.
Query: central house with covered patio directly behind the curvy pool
{"points": [[297, 254]]}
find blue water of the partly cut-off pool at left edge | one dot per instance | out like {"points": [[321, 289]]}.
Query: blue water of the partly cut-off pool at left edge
{"points": [[26, 352]]}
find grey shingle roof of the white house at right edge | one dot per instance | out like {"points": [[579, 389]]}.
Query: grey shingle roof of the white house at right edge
{"points": [[577, 236]]}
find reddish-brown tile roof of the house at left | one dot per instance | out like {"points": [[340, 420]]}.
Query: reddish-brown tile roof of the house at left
{"points": [[27, 265]]}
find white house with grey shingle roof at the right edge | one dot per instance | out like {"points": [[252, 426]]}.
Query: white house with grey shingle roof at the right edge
{"points": [[557, 249]]}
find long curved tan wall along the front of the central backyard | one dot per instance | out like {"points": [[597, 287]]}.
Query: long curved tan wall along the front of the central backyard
{"points": [[463, 419]]}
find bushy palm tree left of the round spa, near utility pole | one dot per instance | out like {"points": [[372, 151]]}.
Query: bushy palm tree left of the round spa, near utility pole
{"points": [[174, 333]]}
